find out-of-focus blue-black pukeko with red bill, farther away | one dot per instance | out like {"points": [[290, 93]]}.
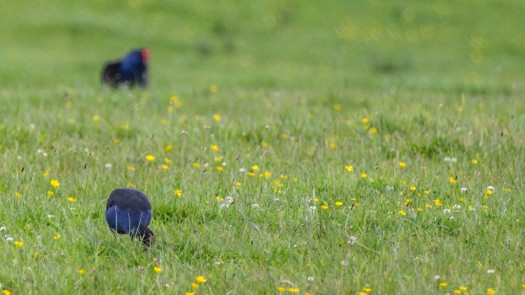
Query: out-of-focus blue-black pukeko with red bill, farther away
{"points": [[131, 70]]}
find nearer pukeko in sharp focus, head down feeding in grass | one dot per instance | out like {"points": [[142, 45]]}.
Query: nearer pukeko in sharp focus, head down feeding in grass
{"points": [[128, 211]]}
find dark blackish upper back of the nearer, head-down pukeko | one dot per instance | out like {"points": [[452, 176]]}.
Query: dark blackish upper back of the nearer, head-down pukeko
{"points": [[128, 198]]}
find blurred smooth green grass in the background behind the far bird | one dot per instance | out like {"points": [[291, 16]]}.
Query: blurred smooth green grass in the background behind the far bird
{"points": [[462, 46]]}
